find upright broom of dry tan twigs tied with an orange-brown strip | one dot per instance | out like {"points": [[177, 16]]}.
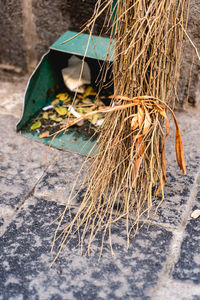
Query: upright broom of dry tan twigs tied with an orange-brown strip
{"points": [[129, 170]]}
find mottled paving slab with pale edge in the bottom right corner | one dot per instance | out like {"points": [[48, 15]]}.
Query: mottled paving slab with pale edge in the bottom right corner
{"points": [[179, 278]]}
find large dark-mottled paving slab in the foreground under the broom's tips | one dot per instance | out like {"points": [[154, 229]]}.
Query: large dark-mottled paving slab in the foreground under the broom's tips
{"points": [[25, 259]]}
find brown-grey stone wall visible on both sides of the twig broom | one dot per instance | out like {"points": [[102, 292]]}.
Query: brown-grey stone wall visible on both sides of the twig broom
{"points": [[29, 27]]}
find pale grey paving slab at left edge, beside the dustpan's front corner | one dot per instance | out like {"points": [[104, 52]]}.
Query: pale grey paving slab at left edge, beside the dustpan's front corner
{"points": [[22, 164]]}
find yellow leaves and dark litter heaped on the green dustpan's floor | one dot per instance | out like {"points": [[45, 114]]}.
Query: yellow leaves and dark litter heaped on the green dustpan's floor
{"points": [[64, 109]]}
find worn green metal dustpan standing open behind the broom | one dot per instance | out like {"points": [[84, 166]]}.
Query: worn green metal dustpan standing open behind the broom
{"points": [[47, 81]]}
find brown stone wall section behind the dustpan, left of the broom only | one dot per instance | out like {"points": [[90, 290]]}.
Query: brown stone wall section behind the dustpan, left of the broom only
{"points": [[29, 27]]}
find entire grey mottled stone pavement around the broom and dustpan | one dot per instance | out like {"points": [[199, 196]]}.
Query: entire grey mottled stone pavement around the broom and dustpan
{"points": [[163, 261]]}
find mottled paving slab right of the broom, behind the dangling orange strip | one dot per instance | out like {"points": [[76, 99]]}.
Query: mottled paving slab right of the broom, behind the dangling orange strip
{"points": [[178, 187]]}
